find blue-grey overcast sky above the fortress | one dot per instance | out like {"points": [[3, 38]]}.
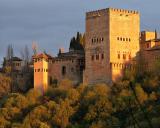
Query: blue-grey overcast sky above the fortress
{"points": [[51, 23]]}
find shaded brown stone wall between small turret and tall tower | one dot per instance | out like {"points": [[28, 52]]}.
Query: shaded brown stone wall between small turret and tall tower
{"points": [[66, 68]]}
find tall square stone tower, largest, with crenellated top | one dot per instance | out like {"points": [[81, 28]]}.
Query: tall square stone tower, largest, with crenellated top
{"points": [[112, 42]]}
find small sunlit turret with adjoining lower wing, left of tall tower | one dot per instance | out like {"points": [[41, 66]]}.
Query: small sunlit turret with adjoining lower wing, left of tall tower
{"points": [[48, 69]]}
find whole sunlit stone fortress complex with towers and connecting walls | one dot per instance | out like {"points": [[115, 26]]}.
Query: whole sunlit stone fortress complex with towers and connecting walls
{"points": [[112, 44]]}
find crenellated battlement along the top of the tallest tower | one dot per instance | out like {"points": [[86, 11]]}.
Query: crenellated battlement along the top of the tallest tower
{"points": [[98, 13]]}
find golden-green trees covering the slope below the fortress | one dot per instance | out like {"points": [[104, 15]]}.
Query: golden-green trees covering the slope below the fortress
{"points": [[130, 103]]}
